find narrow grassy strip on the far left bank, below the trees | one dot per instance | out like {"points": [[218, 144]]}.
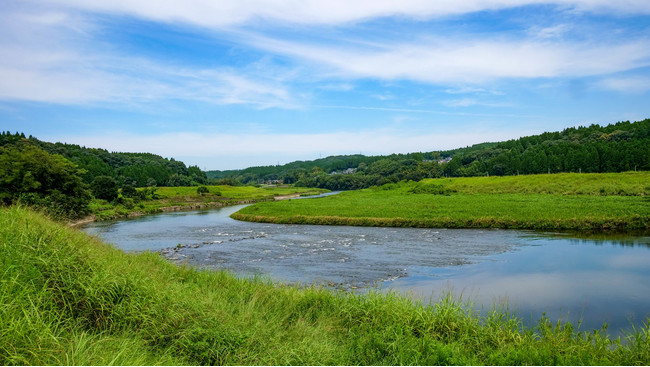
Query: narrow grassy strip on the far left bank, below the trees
{"points": [[162, 199]]}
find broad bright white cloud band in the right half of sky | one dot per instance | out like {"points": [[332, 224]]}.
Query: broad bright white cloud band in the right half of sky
{"points": [[468, 61]]}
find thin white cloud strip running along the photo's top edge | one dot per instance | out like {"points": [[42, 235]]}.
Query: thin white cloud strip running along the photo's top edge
{"points": [[227, 13]]}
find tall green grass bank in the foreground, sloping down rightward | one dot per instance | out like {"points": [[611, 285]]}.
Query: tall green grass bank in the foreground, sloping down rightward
{"points": [[67, 298]]}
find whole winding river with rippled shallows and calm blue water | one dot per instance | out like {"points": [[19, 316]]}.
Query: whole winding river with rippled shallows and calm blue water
{"points": [[589, 281]]}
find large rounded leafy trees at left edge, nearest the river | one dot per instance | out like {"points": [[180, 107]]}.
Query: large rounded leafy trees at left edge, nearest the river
{"points": [[32, 176]]}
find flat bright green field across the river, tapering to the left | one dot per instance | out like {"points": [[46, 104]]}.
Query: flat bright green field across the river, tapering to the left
{"points": [[568, 201]]}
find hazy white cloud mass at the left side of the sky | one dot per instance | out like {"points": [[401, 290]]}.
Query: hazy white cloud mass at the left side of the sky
{"points": [[49, 62]]}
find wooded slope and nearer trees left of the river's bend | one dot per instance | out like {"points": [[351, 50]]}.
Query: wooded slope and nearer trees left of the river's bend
{"points": [[63, 178]]}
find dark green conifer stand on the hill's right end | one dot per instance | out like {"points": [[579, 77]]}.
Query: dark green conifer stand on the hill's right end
{"points": [[619, 147]]}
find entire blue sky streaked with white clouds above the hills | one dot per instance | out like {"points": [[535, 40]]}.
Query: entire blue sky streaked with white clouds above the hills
{"points": [[230, 84]]}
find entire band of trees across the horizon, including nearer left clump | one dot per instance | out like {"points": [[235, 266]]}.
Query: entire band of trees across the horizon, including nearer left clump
{"points": [[64, 177]]}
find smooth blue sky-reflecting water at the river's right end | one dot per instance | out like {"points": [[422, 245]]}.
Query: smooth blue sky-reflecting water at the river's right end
{"points": [[569, 280]]}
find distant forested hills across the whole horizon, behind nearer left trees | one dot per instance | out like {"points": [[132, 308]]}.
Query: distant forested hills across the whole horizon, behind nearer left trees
{"points": [[622, 146]]}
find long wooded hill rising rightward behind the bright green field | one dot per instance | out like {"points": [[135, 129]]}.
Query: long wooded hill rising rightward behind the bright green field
{"points": [[623, 146]]}
